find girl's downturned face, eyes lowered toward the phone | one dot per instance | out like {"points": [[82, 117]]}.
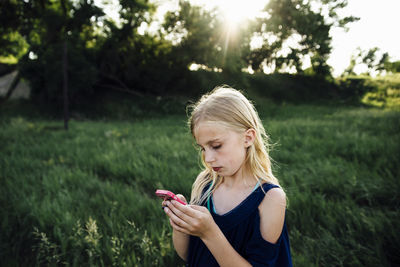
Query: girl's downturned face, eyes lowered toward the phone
{"points": [[224, 150]]}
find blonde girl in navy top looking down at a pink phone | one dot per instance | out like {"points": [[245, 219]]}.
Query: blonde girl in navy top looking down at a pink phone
{"points": [[236, 215]]}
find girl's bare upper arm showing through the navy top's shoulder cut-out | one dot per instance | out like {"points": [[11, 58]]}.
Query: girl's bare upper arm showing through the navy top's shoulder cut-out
{"points": [[272, 214]]}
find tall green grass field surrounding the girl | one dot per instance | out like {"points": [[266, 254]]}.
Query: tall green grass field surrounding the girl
{"points": [[86, 196]]}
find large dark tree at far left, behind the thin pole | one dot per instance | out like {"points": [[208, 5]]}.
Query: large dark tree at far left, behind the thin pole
{"points": [[44, 25]]}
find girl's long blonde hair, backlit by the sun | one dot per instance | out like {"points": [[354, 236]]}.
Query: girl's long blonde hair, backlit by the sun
{"points": [[229, 107]]}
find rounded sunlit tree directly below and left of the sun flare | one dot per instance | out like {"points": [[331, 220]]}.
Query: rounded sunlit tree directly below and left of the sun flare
{"points": [[200, 36]]}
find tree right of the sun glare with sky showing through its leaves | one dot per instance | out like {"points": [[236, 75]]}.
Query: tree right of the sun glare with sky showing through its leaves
{"points": [[293, 30]]}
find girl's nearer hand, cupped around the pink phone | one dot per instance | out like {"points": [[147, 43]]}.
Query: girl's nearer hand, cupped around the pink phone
{"points": [[190, 219]]}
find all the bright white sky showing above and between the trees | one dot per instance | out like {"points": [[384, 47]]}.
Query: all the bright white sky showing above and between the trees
{"points": [[379, 26]]}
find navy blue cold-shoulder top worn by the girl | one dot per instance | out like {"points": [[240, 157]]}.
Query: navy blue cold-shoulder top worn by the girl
{"points": [[241, 226]]}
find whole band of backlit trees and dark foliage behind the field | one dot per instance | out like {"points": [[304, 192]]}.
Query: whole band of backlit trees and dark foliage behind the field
{"points": [[104, 54]]}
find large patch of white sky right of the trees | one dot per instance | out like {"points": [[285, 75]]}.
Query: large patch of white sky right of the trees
{"points": [[379, 26]]}
